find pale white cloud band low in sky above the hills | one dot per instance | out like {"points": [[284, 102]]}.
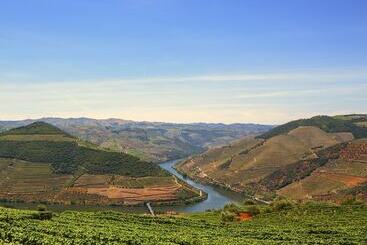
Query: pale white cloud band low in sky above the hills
{"points": [[265, 98]]}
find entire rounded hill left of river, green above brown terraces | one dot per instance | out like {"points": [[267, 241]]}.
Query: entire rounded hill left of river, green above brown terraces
{"points": [[41, 163]]}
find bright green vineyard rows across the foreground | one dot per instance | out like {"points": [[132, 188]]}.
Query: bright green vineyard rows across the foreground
{"points": [[311, 224]]}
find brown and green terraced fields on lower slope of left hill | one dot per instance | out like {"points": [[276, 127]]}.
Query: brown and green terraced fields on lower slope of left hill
{"points": [[29, 182]]}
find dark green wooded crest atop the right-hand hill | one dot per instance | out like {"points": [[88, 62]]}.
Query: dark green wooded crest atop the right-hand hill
{"points": [[326, 123]]}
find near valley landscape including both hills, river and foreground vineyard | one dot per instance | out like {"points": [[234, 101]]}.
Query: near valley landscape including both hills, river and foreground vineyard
{"points": [[314, 179]]}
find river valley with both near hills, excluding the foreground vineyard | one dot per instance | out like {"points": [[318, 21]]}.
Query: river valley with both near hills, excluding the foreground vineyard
{"points": [[321, 158]]}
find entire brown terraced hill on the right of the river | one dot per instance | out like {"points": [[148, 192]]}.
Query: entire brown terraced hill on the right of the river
{"points": [[318, 158]]}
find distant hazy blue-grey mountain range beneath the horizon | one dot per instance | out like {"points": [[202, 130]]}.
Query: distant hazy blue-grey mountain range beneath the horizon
{"points": [[150, 141]]}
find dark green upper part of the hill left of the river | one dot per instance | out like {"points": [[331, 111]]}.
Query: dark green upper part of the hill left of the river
{"points": [[68, 157]]}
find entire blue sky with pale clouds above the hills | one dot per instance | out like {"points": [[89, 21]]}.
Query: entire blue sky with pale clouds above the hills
{"points": [[183, 60]]}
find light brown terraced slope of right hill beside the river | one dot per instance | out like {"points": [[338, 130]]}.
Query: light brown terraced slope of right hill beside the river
{"points": [[252, 159]]}
